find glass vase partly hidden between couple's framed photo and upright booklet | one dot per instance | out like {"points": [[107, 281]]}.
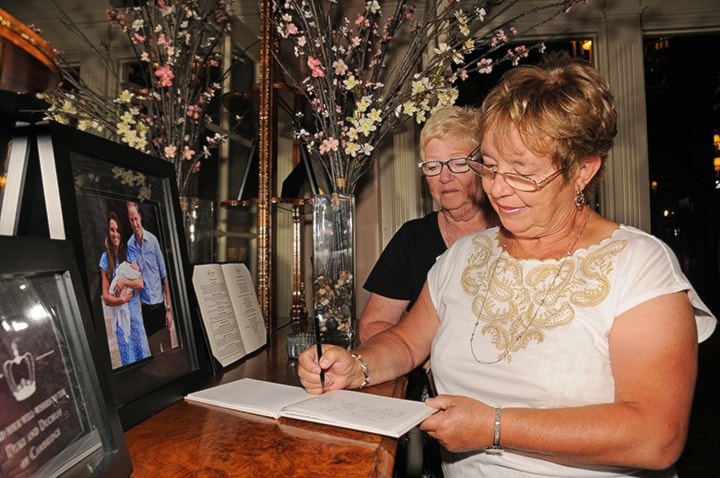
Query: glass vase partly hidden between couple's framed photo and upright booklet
{"points": [[199, 221]]}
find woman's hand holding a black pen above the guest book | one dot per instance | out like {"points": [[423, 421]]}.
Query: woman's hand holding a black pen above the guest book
{"points": [[340, 369]]}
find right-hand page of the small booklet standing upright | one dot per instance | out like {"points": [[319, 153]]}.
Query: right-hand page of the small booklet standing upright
{"points": [[247, 308]]}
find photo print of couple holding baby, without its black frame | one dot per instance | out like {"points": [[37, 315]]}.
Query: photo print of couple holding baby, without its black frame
{"points": [[133, 279]]}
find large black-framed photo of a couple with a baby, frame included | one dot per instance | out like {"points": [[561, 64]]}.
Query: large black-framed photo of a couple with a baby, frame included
{"points": [[120, 210]]}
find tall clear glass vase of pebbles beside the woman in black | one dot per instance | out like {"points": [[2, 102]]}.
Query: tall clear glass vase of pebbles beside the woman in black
{"points": [[334, 267]]}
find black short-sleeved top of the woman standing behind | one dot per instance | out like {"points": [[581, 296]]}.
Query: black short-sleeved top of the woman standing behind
{"points": [[402, 268]]}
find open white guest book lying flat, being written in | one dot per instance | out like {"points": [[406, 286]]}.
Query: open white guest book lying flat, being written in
{"points": [[365, 412]]}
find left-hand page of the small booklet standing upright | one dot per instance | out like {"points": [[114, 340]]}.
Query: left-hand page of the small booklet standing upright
{"points": [[218, 314]]}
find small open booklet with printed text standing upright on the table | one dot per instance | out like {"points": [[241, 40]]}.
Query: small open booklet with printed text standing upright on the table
{"points": [[230, 310]]}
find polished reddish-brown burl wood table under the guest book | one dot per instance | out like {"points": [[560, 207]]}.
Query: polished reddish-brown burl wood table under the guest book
{"points": [[187, 440]]}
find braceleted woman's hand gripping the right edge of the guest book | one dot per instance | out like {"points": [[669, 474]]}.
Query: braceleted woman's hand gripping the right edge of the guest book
{"points": [[461, 424]]}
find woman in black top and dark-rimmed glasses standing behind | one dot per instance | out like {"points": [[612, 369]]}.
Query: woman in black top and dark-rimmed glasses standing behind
{"points": [[449, 138]]}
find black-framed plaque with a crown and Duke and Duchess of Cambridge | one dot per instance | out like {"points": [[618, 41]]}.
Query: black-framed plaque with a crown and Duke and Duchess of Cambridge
{"points": [[58, 416]]}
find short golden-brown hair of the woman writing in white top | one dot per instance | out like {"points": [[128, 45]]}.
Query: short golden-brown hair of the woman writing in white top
{"points": [[561, 107]]}
